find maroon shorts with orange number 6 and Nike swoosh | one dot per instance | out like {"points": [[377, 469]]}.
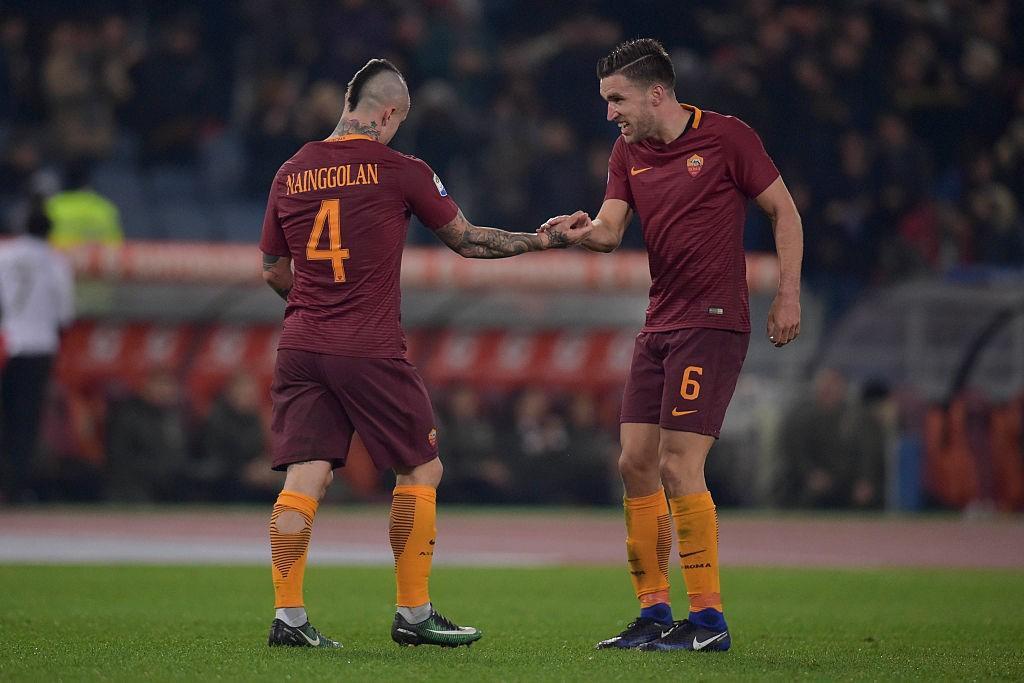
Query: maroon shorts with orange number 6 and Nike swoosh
{"points": [[685, 379]]}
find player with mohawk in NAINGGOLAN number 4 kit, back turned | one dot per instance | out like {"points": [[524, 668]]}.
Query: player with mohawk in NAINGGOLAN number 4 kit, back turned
{"points": [[339, 210]]}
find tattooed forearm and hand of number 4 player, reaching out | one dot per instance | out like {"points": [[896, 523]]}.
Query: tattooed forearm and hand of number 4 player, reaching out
{"points": [[473, 242]]}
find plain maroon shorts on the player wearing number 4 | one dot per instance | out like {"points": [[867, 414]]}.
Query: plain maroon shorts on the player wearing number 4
{"points": [[321, 400]]}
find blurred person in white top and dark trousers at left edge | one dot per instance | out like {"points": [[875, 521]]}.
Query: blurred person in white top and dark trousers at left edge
{"points": [[36, 305]]}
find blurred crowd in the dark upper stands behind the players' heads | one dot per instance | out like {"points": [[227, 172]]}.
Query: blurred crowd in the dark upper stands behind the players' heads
{"points": [[900, 126]]}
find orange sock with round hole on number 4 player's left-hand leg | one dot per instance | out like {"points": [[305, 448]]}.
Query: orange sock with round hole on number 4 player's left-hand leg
{"points": [[291, 526]]}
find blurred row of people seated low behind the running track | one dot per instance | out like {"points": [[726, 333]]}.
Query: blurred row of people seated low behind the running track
{"points": [[529, 446]]}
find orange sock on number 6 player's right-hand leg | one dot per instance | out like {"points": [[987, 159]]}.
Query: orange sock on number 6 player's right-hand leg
{"points": [[697, 527]]}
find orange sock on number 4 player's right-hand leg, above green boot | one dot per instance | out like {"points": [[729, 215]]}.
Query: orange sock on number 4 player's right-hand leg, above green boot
{"points": [[412, 532]]}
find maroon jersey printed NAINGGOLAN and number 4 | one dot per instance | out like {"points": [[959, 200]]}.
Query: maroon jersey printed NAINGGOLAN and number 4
{"points": [[340, 209]]}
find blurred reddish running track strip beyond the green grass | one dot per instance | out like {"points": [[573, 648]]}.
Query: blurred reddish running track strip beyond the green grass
{"points": [[511, 538]]}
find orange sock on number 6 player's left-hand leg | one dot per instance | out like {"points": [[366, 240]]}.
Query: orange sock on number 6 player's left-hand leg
{"points": [[649, 545]]}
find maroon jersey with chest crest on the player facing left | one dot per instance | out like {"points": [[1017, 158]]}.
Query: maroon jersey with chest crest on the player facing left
{"points": [[692, 198]]}
